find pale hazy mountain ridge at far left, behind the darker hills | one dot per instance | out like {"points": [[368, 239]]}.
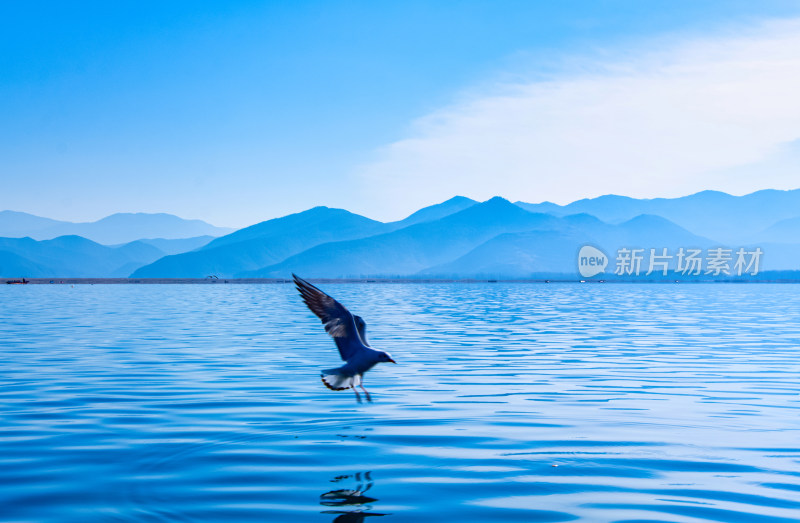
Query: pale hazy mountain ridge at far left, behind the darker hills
{"points": [[115, 229]]}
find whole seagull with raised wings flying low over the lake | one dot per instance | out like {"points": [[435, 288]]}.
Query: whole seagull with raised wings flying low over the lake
{"points": [[350, 334]]}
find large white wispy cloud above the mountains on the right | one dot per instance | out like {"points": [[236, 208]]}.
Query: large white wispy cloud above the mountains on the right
{"points": [[706, 113]]}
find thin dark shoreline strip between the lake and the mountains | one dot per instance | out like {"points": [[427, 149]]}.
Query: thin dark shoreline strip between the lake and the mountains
{"points": [[230, 281]]}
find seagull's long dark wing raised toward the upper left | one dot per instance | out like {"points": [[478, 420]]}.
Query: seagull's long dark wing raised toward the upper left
{"points": [[338, 321]]}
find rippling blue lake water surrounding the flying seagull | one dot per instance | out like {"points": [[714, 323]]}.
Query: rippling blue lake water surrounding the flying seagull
{"points": [[510, 402]]}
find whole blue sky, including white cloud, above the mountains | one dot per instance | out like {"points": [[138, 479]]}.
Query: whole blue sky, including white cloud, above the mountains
{"points": [[241, 111]]}
